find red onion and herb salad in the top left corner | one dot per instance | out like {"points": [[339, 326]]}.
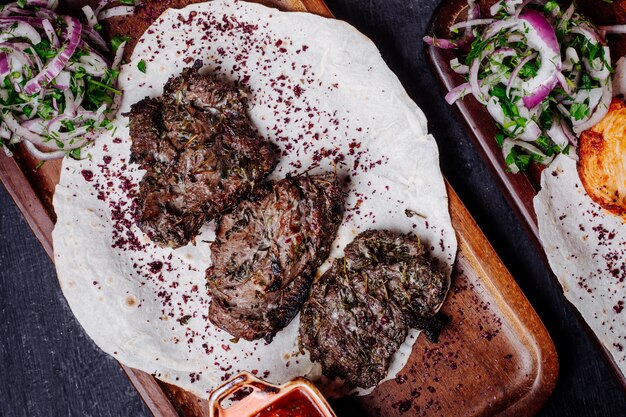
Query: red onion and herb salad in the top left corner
{"points": [[57, 88]]}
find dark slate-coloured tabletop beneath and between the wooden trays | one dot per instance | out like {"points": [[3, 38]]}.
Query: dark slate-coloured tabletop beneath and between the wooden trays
{"points": [[48, 366]]}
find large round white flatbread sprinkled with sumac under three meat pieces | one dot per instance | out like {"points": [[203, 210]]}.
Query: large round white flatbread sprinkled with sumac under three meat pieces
{"points": [[321, 91]]}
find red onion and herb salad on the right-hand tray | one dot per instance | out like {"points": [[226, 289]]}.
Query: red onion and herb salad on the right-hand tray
{"points": [[544, 75]]}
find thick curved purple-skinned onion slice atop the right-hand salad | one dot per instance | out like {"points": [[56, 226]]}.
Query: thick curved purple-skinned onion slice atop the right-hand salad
{"points": [[542, 38]]}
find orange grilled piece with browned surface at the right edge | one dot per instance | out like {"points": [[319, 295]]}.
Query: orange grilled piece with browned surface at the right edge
{"points": [[602, 160]]}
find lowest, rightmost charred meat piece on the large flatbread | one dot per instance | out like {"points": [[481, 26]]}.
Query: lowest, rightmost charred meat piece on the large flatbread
{"points": [[361, 309]]}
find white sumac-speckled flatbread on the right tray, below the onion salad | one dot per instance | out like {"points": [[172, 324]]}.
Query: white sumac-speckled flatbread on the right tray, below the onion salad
{"points": [[586, 248]]}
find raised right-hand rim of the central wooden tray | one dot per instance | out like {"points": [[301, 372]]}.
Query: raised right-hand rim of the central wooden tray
{"points": [[520, 310]]}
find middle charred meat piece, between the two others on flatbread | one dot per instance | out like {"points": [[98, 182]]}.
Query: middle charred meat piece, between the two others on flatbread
{"points": [[267, 252]]}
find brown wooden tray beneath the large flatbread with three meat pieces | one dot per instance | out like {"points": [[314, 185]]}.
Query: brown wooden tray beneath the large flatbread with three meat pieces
{"points": [[495, 356]]}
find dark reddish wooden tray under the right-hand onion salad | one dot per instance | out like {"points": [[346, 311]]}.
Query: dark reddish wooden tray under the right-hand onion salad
{"points": [[519, 189]]}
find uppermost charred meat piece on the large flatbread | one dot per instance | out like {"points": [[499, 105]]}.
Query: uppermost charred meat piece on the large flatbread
{"points": [[200, 152]]}
